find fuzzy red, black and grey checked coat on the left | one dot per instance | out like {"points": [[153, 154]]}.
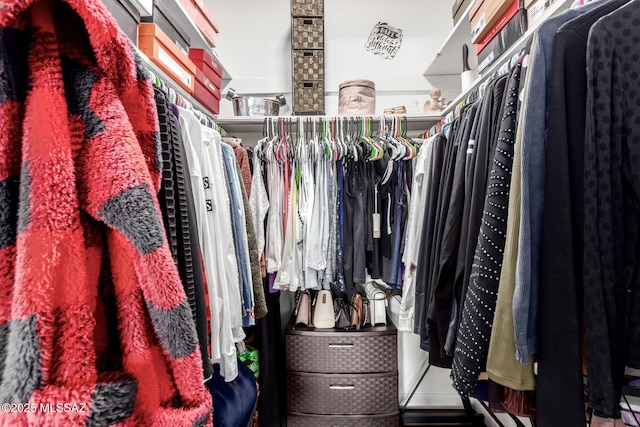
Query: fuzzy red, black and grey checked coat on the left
{"points": [[92, 311]]}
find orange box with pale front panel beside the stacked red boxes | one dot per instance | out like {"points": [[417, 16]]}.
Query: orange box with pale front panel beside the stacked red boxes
{"points": [[154, 43]]}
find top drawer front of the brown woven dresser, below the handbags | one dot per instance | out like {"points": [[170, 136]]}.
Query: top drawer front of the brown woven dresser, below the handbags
{"points": [[341, 353]]}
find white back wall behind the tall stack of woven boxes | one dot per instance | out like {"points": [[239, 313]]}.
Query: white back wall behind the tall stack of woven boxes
{"points": [[256, 47]]}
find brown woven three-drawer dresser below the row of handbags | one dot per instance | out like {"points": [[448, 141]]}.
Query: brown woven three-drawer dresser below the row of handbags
{"points": [[342, 378]]}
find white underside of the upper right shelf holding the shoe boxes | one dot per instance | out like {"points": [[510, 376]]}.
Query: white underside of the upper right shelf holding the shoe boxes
{"points": [[448, 60]]}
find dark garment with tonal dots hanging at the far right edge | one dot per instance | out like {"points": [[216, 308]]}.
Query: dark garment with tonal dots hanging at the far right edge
{"points": [[612, 206]]}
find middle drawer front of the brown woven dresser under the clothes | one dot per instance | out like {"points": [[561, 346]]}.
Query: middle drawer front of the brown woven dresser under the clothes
{"points": [[346, 394]]}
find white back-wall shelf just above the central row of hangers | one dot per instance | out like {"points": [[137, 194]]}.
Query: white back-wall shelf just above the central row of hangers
{"points": [[231, 124]]}
